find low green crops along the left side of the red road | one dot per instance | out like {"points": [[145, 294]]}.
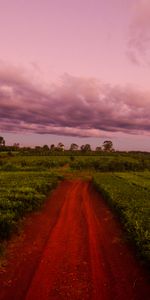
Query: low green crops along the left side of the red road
{"points": [[22, 192]]}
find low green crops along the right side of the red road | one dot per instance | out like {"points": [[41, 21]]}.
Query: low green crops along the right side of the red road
{"points": [[129, 195]]}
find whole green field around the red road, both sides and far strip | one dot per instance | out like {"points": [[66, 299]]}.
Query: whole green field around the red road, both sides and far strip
{"points": [[122, 178]]}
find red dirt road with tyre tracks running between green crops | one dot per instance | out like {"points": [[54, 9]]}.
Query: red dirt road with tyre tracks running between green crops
{"points": [[72, 249]]}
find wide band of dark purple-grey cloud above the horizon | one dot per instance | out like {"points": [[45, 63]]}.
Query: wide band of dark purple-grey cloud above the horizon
{"points": [[74, 106]]}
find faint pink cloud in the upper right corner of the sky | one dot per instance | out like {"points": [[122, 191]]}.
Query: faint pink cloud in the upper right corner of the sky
{"points": [[139, 34]]}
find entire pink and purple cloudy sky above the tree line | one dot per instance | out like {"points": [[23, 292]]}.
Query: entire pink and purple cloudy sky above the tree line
{"points": [[75, 71]]}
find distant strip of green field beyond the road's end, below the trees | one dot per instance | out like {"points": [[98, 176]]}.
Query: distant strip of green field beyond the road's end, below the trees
{"points": [[102, 162]]}
